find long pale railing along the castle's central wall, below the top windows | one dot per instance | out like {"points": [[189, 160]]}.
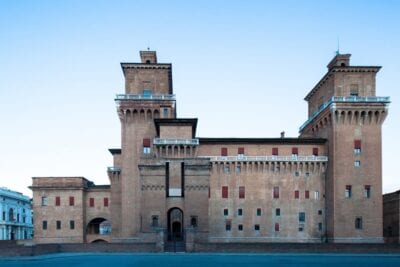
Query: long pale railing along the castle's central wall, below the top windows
{"points": [[267, 158]]}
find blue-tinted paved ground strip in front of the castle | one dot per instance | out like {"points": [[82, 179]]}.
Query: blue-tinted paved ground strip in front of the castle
{"points": [[205, 260]]}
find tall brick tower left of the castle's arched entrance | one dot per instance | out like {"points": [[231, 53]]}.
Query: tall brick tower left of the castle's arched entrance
{"points": [[148, 95]]}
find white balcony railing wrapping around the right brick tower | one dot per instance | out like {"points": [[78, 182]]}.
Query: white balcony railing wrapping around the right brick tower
{"points": [[346, 99]]}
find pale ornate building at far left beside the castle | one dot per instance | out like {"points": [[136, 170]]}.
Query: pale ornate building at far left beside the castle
{"points": [[15, 215]]}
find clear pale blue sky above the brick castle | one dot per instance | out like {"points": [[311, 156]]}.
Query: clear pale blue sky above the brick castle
{"points": [[242, 68]]}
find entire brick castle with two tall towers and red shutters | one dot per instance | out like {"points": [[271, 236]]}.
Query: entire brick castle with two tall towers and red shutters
{"points": [[167, 184]]}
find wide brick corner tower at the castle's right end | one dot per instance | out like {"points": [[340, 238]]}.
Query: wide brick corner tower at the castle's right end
{"points": [[343, 108]]}
